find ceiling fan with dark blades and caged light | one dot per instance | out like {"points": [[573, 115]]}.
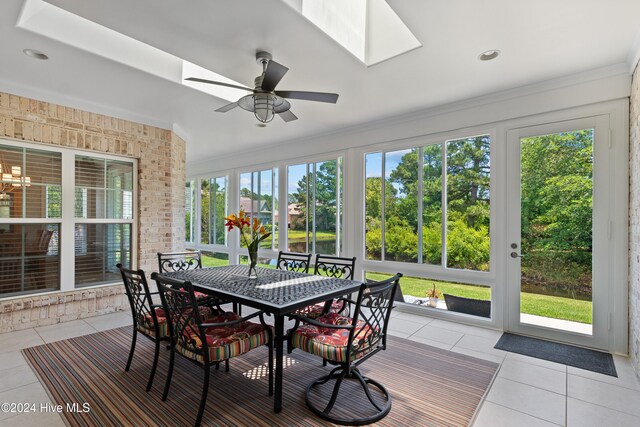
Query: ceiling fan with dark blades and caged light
{"points": [[264, 101]]}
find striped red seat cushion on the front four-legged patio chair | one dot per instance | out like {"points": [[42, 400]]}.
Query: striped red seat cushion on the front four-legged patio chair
{"points": [[225, 341]]}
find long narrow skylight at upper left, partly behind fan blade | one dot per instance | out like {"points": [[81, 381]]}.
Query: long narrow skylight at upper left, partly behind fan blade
{"points": [[58, 24]]}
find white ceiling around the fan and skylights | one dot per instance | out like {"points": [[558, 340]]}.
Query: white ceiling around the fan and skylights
{"points": [[539, 40]]}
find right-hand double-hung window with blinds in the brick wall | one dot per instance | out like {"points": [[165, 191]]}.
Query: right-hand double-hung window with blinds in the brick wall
{"points": [[104, 218]]}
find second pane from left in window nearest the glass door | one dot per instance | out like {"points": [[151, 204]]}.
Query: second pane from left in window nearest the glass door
{"points": [[401, 206]]}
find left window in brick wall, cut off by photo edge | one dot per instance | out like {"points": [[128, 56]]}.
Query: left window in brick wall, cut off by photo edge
{"points": [[30, 190]]}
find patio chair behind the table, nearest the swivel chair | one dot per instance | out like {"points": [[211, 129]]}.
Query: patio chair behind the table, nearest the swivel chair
{"points": [[330, 266]]}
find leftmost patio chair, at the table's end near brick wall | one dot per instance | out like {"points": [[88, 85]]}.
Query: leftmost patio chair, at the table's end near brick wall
{"points": [[148, 318]]}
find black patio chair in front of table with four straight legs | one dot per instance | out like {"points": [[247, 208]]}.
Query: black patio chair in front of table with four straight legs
{"points": [[208, 339]]}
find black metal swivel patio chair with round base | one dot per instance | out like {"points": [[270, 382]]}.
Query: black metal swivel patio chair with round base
{"points": [[347, 343]]}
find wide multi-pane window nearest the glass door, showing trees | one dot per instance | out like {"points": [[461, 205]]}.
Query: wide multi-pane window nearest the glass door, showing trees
{"points": [[405, 192]]}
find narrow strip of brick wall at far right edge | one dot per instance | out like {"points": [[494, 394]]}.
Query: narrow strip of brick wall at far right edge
{"points": [[634, 223]]}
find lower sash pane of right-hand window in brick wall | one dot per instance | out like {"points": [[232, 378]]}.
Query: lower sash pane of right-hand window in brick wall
{"points": [[98, 248]]}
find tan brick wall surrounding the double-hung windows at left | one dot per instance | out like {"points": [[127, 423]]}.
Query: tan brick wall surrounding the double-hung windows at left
{"points": [[161, 174]]}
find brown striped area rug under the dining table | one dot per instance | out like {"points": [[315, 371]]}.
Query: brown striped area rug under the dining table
{"points": [[429, 386]]}
